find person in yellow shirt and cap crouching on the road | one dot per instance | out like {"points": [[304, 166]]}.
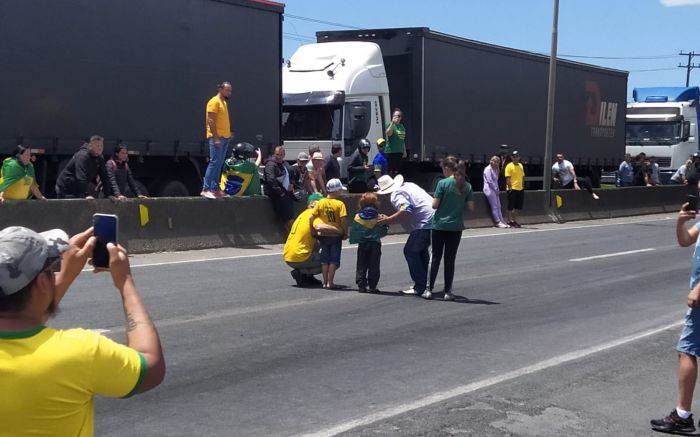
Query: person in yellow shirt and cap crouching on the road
{"points": [[301, 250]]}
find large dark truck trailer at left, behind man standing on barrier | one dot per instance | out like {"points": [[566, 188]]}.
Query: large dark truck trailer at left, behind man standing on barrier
{"points": [[139, 73]]}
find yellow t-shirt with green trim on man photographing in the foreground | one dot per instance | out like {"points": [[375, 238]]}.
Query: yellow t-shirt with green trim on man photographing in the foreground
{"points": [[48, 378]]}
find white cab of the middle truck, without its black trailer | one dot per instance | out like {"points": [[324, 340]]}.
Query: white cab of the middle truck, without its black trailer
{"points": [[334, 93]]}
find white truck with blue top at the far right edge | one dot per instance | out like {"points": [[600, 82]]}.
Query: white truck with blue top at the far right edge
{"points": [[663, 122]]}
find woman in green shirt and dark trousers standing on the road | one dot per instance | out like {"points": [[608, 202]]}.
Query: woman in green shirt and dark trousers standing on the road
{"points": [[449, 199]]}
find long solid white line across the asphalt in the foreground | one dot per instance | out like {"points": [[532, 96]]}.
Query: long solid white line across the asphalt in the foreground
{"points": [[485, 383]]}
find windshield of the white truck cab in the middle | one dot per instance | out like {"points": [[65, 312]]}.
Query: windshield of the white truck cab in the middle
{"points": [[311, 123]]}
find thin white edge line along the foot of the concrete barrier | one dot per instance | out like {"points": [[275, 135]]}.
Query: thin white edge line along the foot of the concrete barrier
{"points": [[509, 232]]}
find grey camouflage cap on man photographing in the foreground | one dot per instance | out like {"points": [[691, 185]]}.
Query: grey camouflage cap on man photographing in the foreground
{"points": [[24, 254]]}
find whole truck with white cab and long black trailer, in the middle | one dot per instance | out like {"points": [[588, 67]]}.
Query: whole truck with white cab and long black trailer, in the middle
{"points": [[458, 97]]}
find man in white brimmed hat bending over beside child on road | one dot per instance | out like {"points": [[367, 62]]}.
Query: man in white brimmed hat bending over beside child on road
{"points": [[413, 202]]}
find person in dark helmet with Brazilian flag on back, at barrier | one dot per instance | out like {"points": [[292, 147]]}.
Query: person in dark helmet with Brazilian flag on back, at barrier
{"points": [[240, 177]]}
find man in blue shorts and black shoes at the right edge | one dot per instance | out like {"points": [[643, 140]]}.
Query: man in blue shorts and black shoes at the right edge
{"points": [[681, 419]]}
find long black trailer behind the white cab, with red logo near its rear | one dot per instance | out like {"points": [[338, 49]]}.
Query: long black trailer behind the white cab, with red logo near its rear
{"points": [[466, 98]]}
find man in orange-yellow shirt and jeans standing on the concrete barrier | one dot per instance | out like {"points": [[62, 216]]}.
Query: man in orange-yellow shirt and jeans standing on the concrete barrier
{"points": [[218, 137]]}
